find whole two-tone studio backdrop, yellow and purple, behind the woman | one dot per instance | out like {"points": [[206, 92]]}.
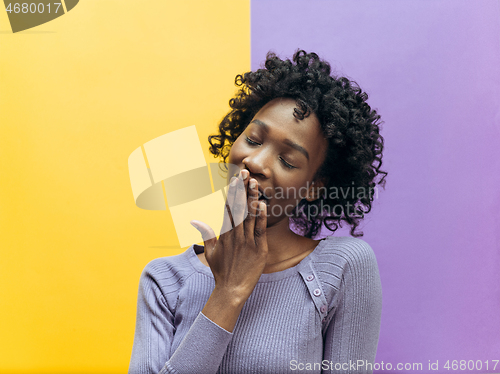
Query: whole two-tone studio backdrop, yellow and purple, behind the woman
{"points": [[78, 94]]}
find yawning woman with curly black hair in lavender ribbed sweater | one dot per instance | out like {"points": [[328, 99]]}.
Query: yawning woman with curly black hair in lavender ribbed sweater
{"points": [[262, 298]]}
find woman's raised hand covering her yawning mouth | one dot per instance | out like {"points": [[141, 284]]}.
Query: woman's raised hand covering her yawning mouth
{"points": [[238, 258]]}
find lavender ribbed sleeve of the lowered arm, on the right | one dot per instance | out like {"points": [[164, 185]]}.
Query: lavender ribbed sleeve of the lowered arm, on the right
{"points": [[351, 338]]}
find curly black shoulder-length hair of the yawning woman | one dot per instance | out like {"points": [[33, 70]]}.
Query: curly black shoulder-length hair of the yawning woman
{"points": [[352, 128]]}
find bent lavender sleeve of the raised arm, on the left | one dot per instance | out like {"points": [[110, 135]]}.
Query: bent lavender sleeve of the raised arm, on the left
{"points": [[200, 351]]}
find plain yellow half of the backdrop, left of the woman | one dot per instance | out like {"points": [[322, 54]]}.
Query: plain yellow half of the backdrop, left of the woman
{"points": [[77, 96]]}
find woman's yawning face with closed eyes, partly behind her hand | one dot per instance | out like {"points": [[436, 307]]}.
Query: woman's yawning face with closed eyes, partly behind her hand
{"points": [[282, 153]]}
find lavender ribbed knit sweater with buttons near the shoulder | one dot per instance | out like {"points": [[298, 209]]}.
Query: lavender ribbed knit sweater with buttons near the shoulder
{"points": [[320, 316]]}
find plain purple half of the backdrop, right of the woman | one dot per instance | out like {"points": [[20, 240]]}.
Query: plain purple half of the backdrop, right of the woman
{"points": [[432, 69]]}
